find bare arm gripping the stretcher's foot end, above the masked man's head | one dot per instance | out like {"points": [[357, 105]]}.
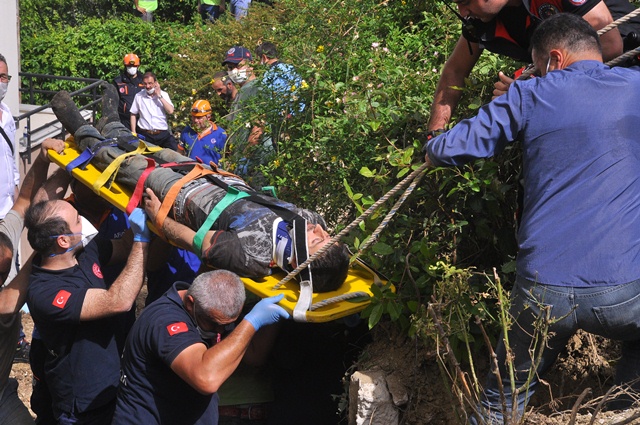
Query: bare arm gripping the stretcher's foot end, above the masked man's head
{"points": [[36, 176]]}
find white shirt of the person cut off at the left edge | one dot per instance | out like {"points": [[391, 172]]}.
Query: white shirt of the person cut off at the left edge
{"points": [[9, 174]]}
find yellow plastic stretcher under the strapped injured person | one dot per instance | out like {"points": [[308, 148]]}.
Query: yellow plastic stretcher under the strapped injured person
{"points": [[352, 297]]}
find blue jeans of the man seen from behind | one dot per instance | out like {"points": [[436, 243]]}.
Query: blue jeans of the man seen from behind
{"points": [[612, 312]]}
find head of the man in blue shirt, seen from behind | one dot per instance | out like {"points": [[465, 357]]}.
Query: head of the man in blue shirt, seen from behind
{"points": [[561, 40]]}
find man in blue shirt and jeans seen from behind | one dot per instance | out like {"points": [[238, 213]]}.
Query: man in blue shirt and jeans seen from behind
{"points": [[579, 239]]}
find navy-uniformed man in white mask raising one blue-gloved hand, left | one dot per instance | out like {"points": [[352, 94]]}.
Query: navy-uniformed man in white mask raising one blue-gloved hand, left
{"points": [[78, 316]]}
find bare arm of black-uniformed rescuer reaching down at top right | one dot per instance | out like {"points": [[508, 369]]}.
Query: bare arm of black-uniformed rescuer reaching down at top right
{"points": [[457, 68]]}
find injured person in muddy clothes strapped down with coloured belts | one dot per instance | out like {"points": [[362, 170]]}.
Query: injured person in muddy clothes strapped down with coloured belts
{"points": [[213, 213]]}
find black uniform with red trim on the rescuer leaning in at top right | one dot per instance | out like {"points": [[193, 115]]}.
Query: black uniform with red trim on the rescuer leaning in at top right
{"points": [[510, 32]]}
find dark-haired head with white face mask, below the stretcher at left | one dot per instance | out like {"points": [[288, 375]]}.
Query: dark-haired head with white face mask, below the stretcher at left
{"points": [[55, 228]]}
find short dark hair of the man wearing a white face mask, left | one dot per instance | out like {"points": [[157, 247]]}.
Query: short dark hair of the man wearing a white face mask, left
{"points": [[42, 223]]}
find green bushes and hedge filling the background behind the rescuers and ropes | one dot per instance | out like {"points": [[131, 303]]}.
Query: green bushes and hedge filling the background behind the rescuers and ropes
{"points": [[370, 69]]}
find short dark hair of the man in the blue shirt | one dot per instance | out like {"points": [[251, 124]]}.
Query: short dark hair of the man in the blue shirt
{"points": [[567, 31]]}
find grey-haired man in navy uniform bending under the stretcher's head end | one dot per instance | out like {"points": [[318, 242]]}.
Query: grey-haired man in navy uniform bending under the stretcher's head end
{"points": [[174, 360]]}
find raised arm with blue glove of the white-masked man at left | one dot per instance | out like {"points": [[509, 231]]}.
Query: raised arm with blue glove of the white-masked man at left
{"points": [[122, 293]]}
